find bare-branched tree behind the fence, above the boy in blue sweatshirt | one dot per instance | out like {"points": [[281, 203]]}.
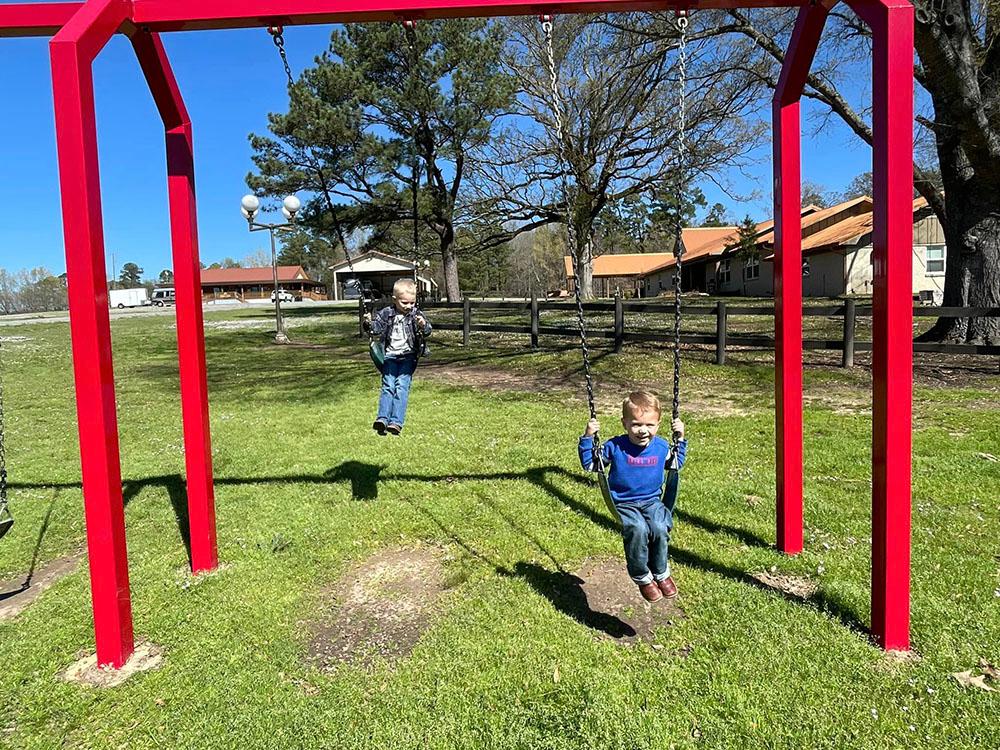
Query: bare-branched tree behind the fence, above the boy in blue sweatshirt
{"points": [[618, 86]]}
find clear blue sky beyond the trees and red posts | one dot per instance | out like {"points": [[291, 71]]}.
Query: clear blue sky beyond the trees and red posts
{"points": [[230, 81]]}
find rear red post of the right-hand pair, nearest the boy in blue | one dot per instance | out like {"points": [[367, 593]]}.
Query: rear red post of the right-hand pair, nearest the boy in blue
{"points": [[788, 275]]}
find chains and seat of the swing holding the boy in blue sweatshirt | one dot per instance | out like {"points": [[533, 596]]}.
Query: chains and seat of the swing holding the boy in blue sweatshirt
{"points": [[671, 483]]}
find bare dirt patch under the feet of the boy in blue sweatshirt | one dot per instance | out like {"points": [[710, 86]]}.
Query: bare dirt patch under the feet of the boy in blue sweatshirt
{"points": [[612, 606]]}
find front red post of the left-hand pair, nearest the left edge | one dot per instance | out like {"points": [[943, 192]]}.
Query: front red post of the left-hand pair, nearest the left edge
{"points": [[72, 51]]}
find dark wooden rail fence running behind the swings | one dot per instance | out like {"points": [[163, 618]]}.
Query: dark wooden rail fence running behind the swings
{"points": [[722, 311]]}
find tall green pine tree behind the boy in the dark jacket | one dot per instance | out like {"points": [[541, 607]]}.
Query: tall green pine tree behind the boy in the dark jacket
{"points": [[382, 100]]}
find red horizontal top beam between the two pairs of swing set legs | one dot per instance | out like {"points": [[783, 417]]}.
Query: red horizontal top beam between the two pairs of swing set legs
{"points": [[178, 15]]}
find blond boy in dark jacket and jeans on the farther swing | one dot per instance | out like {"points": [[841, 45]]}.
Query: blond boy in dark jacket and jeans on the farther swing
{"points": [[402, 329]]}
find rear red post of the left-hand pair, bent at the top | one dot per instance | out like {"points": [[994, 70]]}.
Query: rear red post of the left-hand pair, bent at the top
{"points": [[187, 285]]}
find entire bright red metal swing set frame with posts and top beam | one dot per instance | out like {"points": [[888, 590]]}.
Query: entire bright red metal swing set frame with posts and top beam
{"points": [[79, 31]]}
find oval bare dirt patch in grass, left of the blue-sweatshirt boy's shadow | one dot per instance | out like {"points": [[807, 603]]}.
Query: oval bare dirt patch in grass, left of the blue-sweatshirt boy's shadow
{"points": [[379, 609]]}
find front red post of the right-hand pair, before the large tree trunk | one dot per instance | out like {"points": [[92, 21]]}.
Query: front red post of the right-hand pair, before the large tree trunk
{"points": [[892, 317]]}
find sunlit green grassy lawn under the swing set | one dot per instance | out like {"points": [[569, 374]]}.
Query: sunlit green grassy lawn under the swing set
{"points": [[489, 478]]}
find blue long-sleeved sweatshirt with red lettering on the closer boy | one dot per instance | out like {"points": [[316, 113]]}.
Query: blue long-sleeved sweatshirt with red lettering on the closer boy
{"points": [[635, 473]]}
